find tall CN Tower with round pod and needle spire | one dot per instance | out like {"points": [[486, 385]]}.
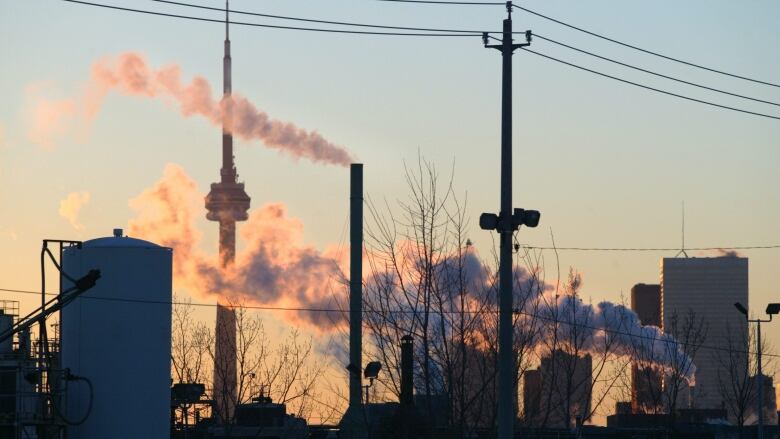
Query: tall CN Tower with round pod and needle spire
{"points": [[226, 203]]}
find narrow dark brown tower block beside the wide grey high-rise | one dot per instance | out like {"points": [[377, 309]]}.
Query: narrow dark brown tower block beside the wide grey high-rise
{"points": [[645, 381]]}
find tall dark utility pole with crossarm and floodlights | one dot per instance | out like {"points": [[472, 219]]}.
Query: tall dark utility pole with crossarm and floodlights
{"points": [[506, 223]]}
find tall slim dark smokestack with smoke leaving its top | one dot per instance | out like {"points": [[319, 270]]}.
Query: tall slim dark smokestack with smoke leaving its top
{"points": [[355, 284]]}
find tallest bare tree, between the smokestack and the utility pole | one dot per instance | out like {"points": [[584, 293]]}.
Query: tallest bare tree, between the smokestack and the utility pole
{"points": [[427, 281]]}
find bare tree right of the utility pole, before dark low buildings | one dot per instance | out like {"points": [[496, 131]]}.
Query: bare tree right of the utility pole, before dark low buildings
{"points": [[581, 362]]}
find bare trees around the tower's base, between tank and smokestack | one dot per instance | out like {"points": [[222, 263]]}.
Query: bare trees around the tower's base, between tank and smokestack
{"points": [[286, 371]]}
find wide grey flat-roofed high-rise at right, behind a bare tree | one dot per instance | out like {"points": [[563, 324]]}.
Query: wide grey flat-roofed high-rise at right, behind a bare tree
{"points": [[703, 290]]}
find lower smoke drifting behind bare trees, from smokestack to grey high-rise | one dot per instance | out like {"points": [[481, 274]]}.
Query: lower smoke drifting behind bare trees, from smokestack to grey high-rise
{"points": [[542, 315]]}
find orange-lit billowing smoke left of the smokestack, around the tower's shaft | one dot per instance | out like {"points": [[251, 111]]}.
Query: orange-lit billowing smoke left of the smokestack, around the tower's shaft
{"points": [[274, 269]]}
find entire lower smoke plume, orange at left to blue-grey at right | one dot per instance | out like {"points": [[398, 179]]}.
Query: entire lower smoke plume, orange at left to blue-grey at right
{"points": [[277, 269]]}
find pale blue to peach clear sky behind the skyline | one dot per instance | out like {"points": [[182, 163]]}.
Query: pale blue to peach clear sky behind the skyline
{"points": [[607, 164]]}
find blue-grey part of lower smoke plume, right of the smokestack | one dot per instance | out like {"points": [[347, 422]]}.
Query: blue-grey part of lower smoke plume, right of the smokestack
{"points": [[545, 316]]}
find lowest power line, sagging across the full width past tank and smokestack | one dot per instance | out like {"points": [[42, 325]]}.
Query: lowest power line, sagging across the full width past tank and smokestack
{"points": [[381, 312]]}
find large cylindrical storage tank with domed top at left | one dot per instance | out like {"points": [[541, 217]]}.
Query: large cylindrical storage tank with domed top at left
{"points": [[117, 335]]}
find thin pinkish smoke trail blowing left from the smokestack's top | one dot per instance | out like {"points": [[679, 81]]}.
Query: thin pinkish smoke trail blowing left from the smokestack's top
{"points": [[129, 74]]}
